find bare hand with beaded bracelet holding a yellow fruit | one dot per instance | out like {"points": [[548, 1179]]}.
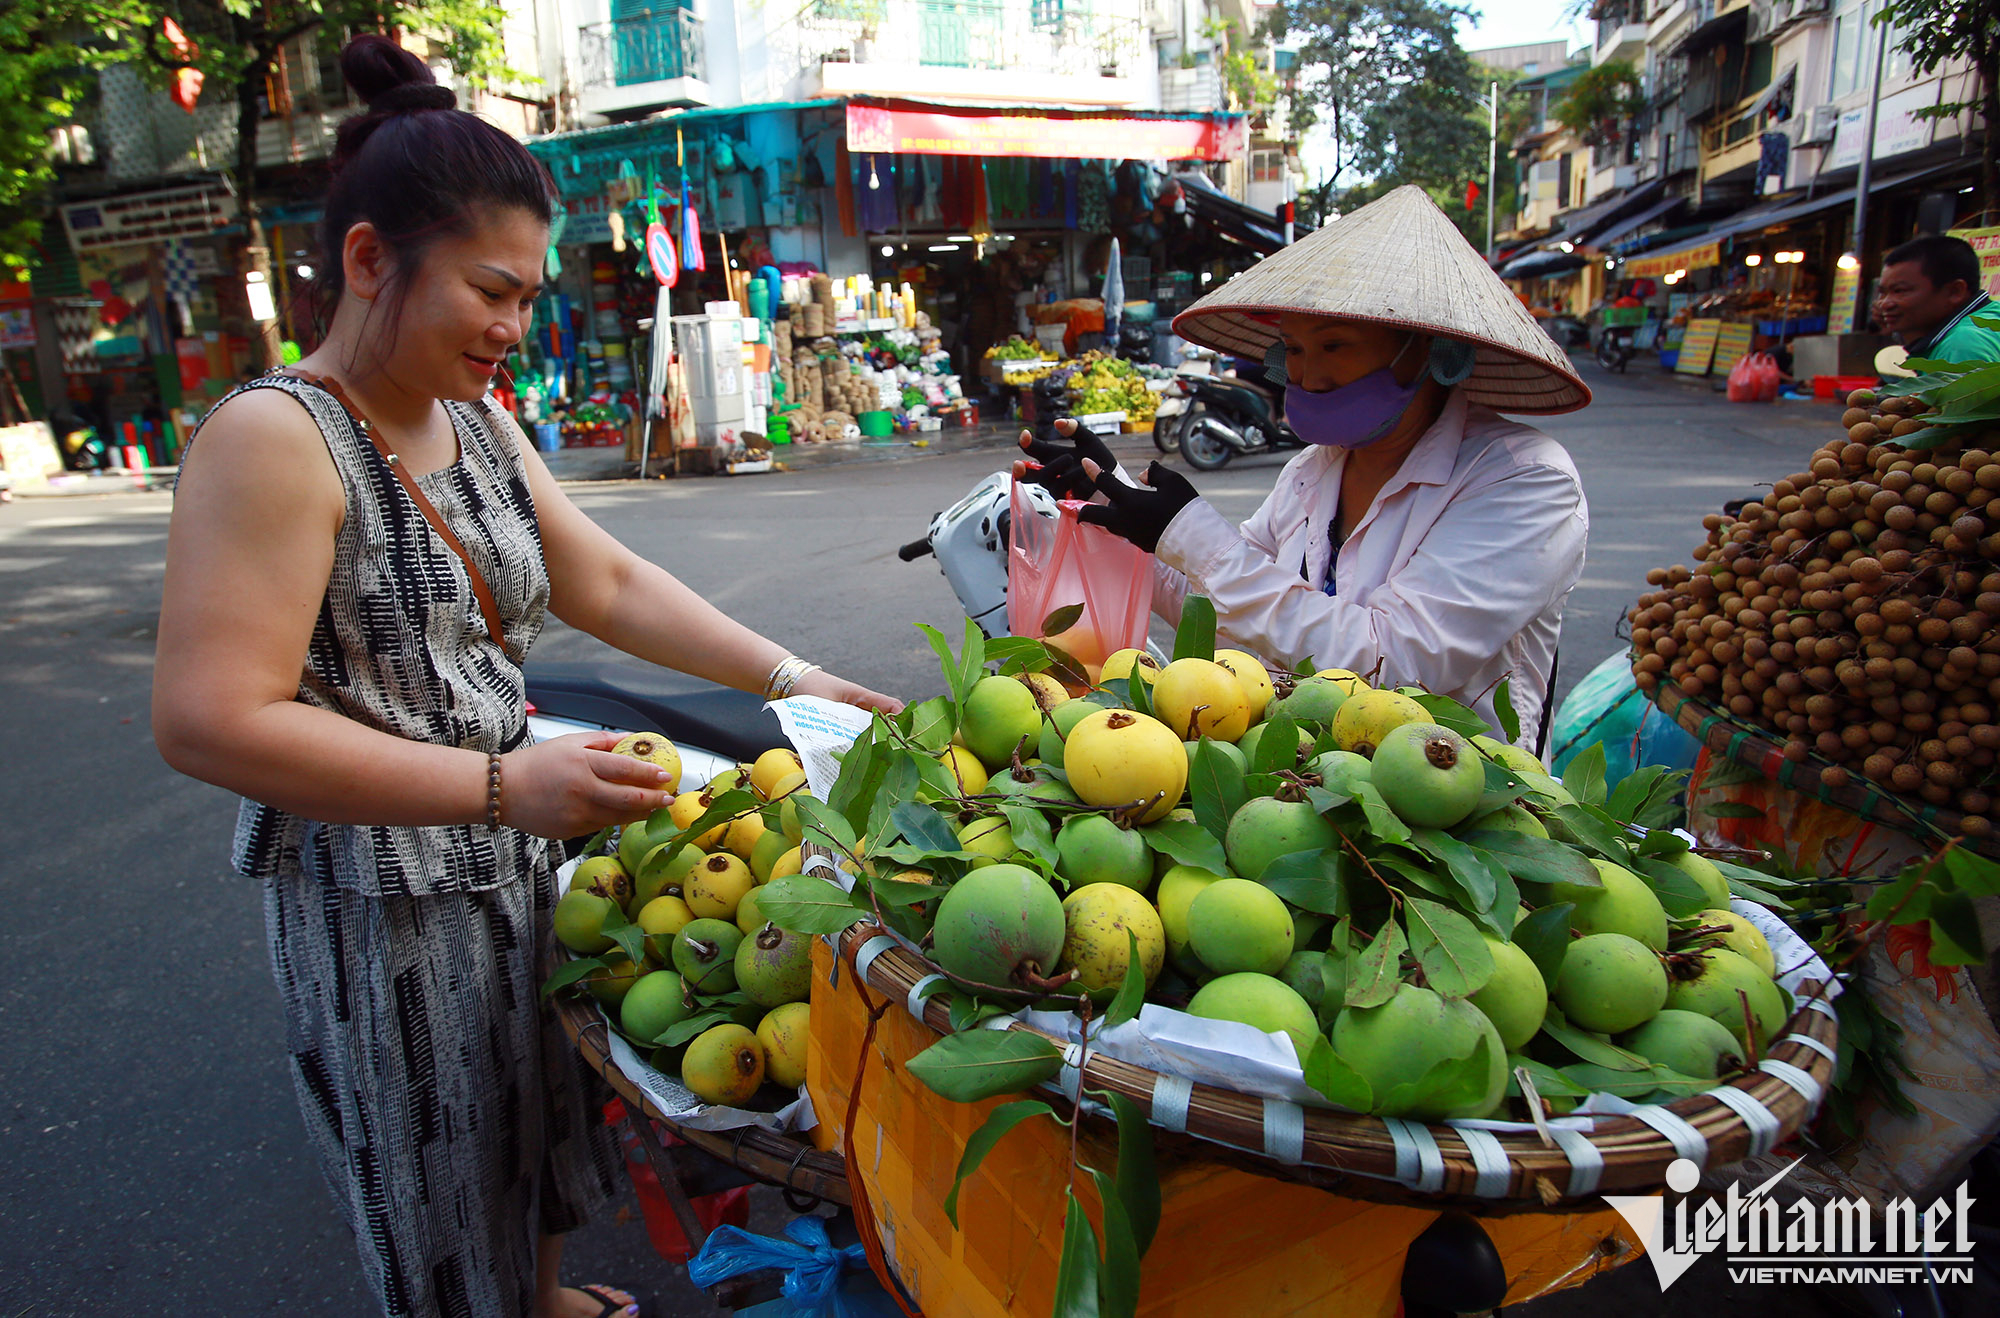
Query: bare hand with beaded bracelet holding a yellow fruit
{"points": [[575, 785]]}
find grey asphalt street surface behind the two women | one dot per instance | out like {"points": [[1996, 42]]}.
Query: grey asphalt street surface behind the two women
{"points": [[151, 1153]]}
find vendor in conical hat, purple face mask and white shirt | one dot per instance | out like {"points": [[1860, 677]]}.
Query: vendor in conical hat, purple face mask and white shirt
{"points": [[1421, 537]]}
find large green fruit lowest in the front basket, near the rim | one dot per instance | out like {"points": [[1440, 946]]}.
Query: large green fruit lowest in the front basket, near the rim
{"points": [[1425, 1057]]}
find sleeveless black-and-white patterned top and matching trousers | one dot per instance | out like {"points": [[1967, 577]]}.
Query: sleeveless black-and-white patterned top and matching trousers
{"points": [[453, 1119]]}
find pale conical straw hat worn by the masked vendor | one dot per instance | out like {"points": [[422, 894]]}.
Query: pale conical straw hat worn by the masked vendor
{"points": [[1397, 261]]}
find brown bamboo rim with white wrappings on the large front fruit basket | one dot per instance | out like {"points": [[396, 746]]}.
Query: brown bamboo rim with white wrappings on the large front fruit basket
{"points": [[1437, 1165]]}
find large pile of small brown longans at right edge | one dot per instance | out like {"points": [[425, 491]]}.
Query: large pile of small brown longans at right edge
{"points": [[1853, 613]]}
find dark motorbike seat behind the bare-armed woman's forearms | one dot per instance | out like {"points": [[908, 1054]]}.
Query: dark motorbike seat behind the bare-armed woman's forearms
{"points": [[637, 699]]}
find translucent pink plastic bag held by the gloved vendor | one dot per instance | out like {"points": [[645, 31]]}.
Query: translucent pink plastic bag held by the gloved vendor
{"points": [[1055, 563]]}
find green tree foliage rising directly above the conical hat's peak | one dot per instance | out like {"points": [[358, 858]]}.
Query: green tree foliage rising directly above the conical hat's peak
{"points": [[1397, 93]]}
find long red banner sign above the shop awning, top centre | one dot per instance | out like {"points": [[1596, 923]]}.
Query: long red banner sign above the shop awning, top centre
{"points": [[945, 133]]}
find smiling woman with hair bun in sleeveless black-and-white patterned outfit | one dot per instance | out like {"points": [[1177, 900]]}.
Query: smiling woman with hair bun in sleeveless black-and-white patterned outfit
{"points": [[325, 653]]}
